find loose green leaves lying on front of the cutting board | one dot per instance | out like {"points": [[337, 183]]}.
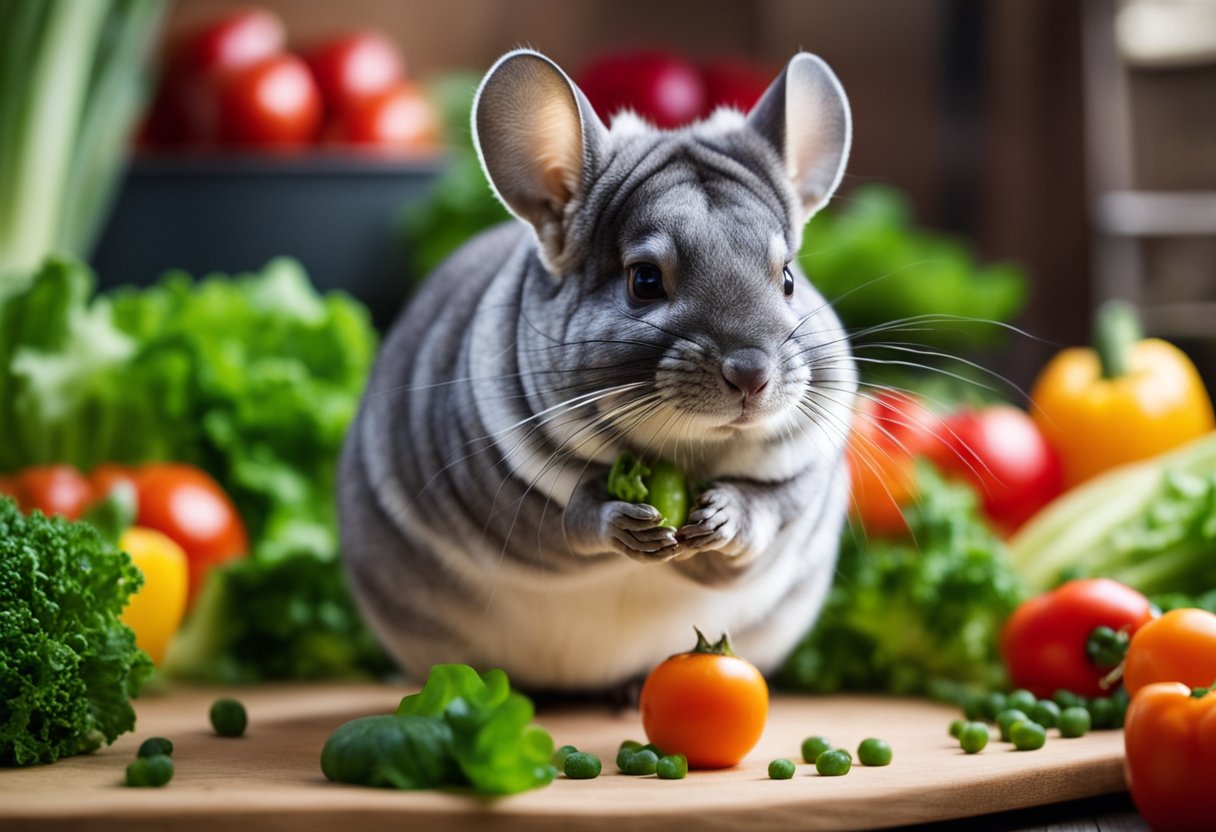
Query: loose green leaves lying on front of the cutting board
{"points": [[461, 729]]}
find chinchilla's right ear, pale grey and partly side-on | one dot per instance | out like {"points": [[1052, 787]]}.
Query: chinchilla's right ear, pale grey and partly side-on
{"points": [[804, 115]]}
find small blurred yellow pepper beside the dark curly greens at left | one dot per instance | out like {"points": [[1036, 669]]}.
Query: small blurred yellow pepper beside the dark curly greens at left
{"points": [[155, 612]]}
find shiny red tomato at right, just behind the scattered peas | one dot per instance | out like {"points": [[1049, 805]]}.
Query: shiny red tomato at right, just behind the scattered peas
{"points": [[1044, 643]]}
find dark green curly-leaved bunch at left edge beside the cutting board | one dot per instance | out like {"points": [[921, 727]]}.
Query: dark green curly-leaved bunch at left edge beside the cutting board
{"points": [[69, 666]]}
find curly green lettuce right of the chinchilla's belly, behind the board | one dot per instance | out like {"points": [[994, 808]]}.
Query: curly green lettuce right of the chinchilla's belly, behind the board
{"points": [[919, 616]]}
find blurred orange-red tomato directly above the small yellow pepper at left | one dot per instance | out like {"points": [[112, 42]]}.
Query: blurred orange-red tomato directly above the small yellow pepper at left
{"points": [[187, 505]]}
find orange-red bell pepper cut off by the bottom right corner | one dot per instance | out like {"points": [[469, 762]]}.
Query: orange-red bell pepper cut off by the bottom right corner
{"points": [[1170, 756]]}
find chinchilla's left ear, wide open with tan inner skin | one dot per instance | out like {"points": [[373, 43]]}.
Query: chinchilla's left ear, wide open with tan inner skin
{"points": [[537, 137]]}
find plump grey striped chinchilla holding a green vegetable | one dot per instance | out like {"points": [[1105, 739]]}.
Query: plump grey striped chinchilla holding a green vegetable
{"points": [[648, 300]]}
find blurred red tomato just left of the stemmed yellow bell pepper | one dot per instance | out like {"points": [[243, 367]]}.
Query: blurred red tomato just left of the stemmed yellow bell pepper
{"points": [[1004, 454]]}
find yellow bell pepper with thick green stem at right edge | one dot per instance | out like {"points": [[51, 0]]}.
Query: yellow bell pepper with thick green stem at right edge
{"points": [[1128, 400]]}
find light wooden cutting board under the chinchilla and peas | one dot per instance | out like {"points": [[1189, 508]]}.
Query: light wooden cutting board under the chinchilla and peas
{"points": [[272, 780]]}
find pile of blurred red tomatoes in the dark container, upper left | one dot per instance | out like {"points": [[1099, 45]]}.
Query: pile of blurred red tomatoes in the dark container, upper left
{"points": [[234, 83]]}
